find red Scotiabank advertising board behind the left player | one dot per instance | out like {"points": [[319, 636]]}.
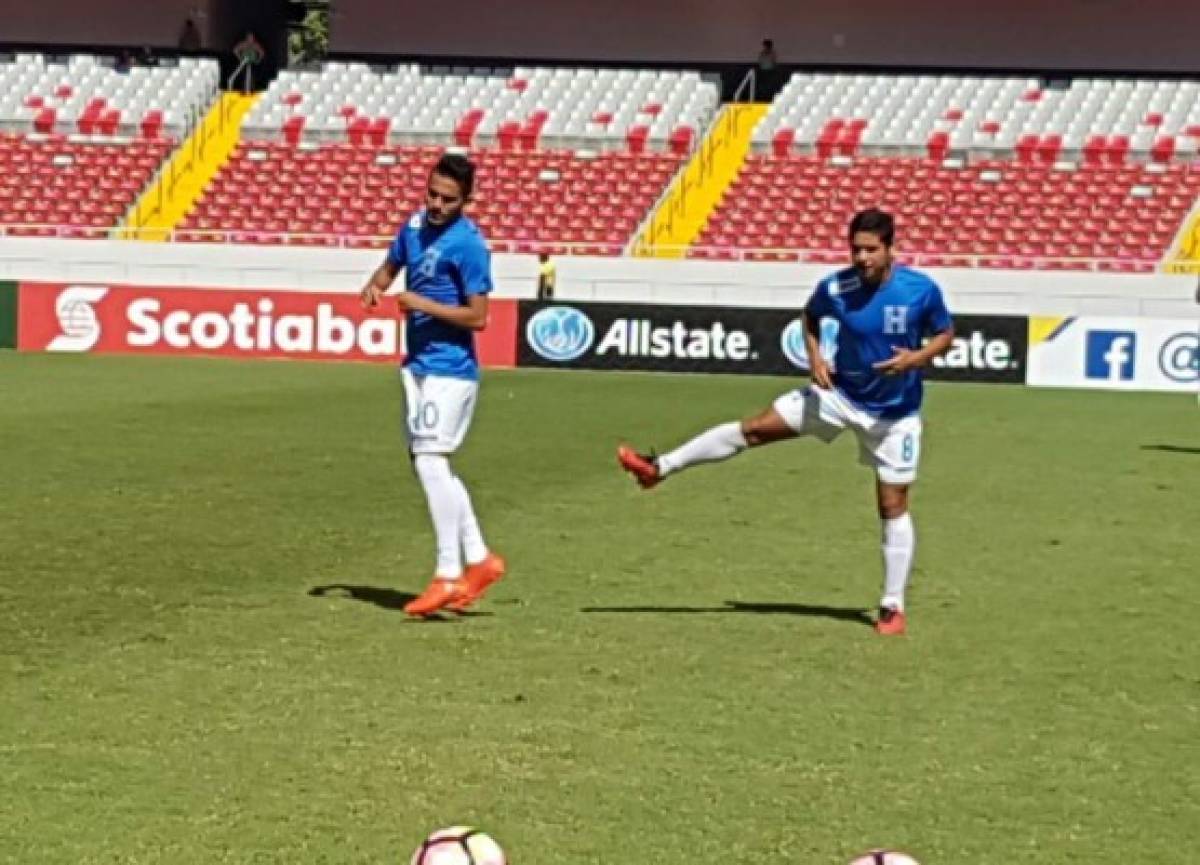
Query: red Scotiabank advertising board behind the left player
{"points": [[134, 320]]}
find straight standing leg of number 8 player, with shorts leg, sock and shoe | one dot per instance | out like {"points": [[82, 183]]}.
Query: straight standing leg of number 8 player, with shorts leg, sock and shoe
{"points": [[893, 449]]}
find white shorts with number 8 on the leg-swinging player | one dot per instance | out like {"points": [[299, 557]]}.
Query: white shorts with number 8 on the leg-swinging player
{"points": [[891, 447]]}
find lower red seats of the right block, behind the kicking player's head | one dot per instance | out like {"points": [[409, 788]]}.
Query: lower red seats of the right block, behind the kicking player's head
{"points": [[1030, 218]]}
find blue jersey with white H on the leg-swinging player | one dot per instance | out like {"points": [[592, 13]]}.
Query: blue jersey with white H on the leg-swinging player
{"points": [[873, 322]]}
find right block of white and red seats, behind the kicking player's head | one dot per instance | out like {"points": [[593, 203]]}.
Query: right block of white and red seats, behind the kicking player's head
{"points": [[992, 172]]}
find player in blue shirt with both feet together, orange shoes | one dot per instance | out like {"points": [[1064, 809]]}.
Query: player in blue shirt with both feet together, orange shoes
{"points": [[447, 281]]}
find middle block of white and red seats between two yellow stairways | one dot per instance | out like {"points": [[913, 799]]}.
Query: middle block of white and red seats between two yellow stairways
{"points": [[571, 160]]}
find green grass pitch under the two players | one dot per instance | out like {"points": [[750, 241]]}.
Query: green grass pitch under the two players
{"points": [[203, 660]]}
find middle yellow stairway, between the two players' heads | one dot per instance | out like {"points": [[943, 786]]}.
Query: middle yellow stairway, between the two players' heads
{"points": [[694, 196]]}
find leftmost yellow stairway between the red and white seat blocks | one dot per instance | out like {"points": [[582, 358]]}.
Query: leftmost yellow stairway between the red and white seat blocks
{"points": [[185, 176]]}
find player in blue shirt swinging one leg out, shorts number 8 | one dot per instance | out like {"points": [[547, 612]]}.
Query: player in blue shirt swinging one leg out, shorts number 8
{"points": [[873, 387]]}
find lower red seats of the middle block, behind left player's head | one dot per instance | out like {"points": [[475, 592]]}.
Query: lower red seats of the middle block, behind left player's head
{"points": [[346, 194]]}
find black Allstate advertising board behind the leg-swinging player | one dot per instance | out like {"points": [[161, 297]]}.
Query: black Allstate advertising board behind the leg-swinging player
{"points": [[697, 339]]}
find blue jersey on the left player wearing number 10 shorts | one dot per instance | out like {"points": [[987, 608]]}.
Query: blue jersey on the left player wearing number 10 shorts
{"points": [[446, 265]]}
